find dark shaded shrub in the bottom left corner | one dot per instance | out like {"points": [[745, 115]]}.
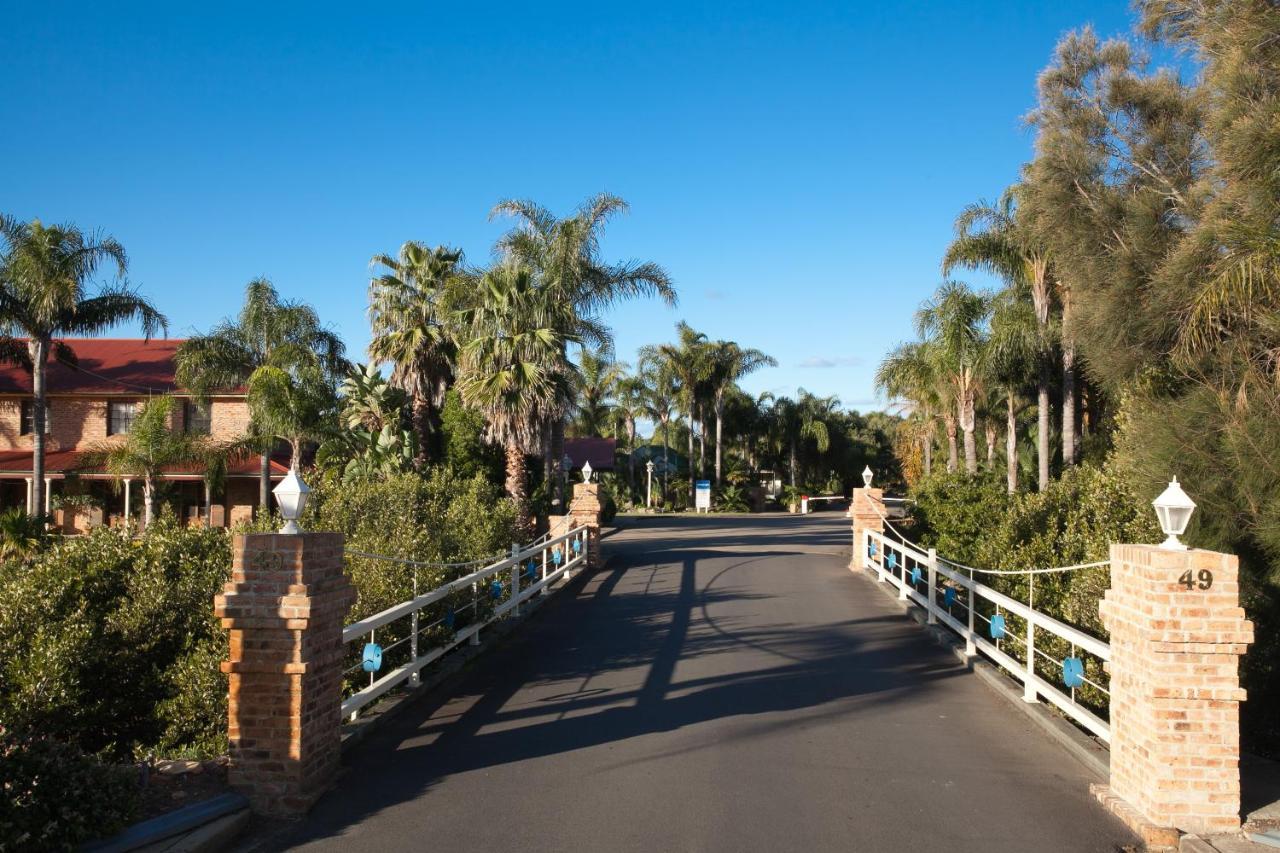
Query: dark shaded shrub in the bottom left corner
{"points": [[56, 797]]}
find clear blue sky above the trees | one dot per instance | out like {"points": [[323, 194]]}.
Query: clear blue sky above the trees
{"points": [[796, 167]]}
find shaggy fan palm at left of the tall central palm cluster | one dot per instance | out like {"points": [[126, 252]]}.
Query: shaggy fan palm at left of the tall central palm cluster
{"points": [[409, 314]]}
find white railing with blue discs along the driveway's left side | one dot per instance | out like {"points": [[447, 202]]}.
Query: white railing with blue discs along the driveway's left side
{"points": [[528, 572]]}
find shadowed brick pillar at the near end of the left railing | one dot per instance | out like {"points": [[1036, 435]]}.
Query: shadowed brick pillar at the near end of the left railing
{"points": [[285, 606]]}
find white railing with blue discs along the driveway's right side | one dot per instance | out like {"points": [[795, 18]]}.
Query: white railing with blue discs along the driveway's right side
{"points": [[922, 578]]}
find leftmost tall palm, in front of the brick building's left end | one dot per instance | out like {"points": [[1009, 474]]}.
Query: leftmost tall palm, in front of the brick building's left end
{"points": [[44, 297]]}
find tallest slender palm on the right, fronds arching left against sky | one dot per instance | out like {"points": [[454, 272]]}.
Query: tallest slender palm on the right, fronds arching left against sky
{"points": [[993, 238]]}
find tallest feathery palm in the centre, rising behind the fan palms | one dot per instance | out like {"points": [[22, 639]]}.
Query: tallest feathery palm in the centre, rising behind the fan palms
{"points": [[565, 257]]}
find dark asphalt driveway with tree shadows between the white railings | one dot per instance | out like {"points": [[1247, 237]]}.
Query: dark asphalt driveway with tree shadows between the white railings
{"points": [[726, 685]]}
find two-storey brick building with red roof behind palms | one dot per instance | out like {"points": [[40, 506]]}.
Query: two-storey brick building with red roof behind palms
{"points": [[98, 400]]}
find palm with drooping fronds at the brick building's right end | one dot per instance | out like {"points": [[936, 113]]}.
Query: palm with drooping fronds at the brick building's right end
{"points": [[276, 346]]}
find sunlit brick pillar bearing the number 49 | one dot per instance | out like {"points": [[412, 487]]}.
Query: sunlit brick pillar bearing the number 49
{"points": [[1176, 691]]}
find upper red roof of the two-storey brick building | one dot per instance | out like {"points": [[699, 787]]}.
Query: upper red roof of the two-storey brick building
{"points": [[104, 366]]}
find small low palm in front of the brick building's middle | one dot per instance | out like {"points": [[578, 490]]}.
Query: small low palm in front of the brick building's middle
{"points": [[154, 446]]}
